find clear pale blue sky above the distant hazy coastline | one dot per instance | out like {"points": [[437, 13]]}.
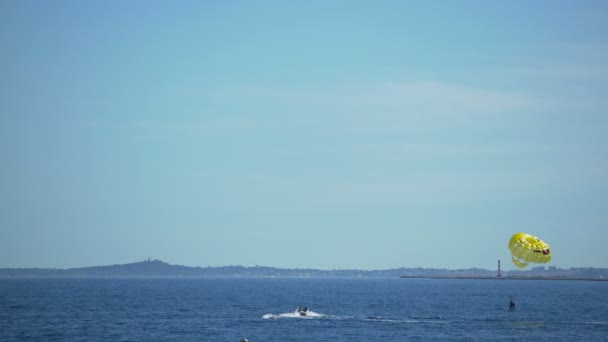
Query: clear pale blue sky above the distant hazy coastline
{"points": [[342, 134]]}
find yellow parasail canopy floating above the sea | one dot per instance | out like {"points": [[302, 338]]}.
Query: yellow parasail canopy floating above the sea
{"points": [[526, 248]]}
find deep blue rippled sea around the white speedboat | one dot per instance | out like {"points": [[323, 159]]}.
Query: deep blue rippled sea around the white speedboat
{"points": [[262, 309]]}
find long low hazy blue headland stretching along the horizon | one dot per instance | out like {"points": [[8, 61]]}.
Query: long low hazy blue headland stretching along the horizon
{"points": [[159, 269]]}
